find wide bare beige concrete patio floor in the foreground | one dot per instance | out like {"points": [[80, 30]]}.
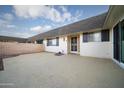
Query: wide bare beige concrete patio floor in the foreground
{"points": [[47, 70]]}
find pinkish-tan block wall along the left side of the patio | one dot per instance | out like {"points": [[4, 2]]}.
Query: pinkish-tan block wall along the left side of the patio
{"points": [[10, 49]]}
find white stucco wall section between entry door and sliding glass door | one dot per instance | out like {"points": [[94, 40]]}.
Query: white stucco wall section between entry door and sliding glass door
{"points": [[96, 49]]}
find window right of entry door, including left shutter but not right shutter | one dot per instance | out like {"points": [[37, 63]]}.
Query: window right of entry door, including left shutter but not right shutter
{"points": [[92, 37]]}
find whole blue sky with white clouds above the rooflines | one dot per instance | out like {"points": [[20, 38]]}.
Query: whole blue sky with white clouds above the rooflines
{"points": [[26, 21]]}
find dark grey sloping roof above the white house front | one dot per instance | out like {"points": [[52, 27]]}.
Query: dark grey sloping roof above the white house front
{"points": [[95, 22]]}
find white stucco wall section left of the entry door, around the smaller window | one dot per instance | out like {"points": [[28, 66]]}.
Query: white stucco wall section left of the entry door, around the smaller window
{"points": [[62, 46]]}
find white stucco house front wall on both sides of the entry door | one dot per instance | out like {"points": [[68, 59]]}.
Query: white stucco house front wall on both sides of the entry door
{"points": [[92, 49]]}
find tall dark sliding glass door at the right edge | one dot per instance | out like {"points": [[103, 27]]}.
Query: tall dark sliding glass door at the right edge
{"points": [[119, 42]]}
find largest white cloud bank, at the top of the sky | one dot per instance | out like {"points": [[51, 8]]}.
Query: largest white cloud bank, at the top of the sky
{"points": [[48, 12]]}
